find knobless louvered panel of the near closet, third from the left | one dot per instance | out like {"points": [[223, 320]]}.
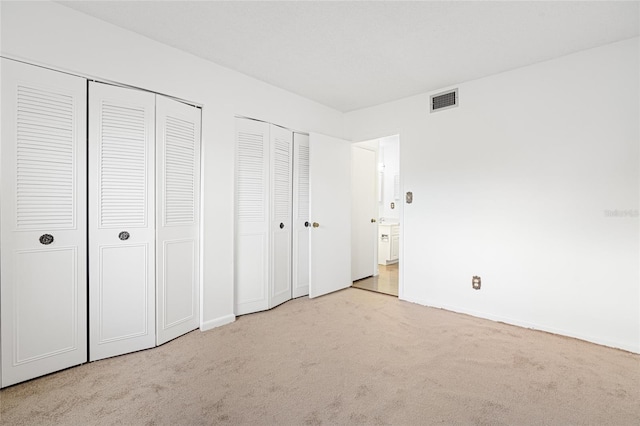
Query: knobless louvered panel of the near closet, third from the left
{"points": [[177, 218]]}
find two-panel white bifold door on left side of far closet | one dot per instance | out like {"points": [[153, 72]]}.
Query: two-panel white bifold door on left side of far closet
{"points": [[263, 215]]}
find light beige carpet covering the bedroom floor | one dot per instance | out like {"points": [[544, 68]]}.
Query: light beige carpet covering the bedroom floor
{"points": [[352, 357]]}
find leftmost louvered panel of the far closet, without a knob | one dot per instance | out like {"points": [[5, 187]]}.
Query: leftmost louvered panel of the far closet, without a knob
{"points": [[252, 216]]}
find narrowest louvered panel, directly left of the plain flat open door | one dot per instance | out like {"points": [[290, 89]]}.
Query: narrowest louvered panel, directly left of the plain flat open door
{"points": [[301, 219]]}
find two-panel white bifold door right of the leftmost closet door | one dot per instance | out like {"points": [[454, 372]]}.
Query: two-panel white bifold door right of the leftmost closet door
{"points": [[144, 154]]}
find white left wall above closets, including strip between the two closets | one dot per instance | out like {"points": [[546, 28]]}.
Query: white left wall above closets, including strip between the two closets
{"points": [[53, 35]]}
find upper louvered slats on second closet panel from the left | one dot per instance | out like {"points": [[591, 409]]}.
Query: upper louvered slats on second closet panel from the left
{"points": [[122, 166]]}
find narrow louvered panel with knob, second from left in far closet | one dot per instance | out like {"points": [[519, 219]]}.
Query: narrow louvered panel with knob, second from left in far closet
{"points": [[281, 185]]}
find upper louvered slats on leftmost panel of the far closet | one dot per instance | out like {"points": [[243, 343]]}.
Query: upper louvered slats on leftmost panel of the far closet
{"points": [[250, 183]]}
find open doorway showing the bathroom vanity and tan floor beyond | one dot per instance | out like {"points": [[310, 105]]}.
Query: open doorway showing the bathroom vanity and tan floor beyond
{"points": [[376, 204]]}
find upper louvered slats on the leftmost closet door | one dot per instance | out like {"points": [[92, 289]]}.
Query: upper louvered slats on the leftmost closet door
{"points": [[45, 159]]}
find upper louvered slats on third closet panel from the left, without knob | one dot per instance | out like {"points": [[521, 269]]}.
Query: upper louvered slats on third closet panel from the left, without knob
{"points": [[179, 175]]}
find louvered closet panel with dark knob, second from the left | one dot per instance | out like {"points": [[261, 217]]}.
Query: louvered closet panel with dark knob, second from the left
{"points": [[121, 220]]}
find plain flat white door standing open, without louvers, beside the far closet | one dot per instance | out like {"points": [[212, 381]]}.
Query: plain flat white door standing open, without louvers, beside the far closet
{"points": [[330, 198]]}
